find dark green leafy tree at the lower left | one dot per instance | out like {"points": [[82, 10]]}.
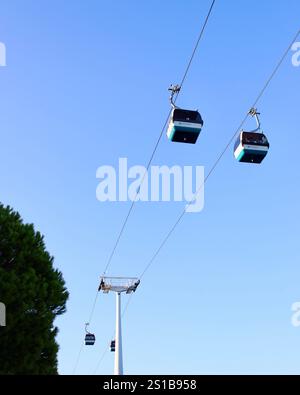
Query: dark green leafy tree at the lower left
{"points": [[34, 294]]}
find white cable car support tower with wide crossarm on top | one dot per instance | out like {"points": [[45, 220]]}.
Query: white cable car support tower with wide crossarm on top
{"points": [[118, 285]]}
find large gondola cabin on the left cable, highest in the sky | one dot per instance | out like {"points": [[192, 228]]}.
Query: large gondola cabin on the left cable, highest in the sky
{"points": [[184, 126]]}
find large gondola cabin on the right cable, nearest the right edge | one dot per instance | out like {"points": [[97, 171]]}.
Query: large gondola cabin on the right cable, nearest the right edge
{"points": [[251, 147]]}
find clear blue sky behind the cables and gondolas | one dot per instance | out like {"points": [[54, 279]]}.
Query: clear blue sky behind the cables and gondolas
{"points": [[86, 83]]}
